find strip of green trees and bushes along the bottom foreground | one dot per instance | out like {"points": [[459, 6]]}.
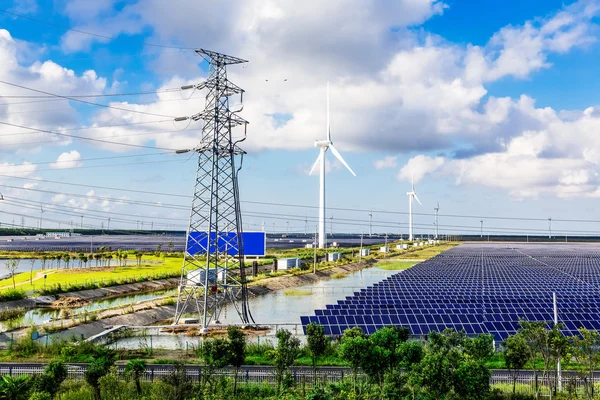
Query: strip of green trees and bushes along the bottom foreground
{"points": [[384, 365]]}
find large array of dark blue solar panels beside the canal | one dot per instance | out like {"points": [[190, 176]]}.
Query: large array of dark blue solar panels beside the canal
{"points": [[479, 288]]}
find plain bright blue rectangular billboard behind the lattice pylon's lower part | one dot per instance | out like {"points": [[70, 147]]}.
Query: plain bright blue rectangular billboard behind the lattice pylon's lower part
{"points": [[255, 243]]}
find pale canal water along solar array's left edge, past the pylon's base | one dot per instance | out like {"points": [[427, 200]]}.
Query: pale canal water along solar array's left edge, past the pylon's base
{"points": [[276, 309]]}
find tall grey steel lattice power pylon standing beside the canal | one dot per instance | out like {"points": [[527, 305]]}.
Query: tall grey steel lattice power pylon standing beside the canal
{"points": [[211, 273]]}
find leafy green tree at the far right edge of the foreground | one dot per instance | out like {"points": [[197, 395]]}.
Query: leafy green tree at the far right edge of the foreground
{"points": [[586, 350]]}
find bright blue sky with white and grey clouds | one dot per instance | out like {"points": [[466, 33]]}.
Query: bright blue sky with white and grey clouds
{"points": [[491, 107]]}
